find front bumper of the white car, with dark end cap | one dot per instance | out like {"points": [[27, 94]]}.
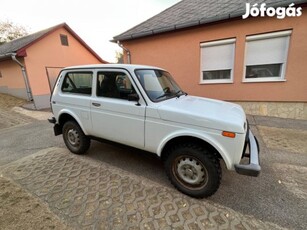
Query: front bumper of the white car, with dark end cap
{"points": [[253, 168]]}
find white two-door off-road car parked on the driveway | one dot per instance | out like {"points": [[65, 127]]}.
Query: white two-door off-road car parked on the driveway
{"points": [[143, 107]]}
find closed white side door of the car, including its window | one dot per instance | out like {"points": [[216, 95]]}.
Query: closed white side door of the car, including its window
{"points": [[114, 117]]}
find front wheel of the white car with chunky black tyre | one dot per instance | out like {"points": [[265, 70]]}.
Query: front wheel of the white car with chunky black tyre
{"points": [[193, 170]]}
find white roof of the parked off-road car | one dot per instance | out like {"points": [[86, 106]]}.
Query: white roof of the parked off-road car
{"points": [[130, 67]]}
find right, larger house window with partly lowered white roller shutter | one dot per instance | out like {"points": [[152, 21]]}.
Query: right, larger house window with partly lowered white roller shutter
{"points": [[266, 56]]}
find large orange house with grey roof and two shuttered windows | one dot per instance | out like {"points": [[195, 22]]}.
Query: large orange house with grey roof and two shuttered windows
{"points": [[259, 62]]}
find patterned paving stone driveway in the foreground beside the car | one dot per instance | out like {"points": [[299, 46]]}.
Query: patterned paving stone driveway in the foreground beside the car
{"points": [[91, 195]]}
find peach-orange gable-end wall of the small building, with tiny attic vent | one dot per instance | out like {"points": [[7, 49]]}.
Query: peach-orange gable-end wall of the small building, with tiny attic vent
{"points": [[49, 52]]}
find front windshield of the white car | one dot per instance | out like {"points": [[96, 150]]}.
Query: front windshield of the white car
{"points": [[158, 84]]}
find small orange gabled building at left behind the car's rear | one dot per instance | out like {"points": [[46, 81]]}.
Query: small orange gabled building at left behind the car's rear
{"points": [[30, 65]]}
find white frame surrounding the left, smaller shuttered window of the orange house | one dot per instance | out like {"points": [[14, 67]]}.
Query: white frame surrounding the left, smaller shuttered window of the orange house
{"points": [[231, 41]]}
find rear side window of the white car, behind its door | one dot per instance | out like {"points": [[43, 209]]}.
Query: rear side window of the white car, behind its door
{"points": [[78, 82]]}
